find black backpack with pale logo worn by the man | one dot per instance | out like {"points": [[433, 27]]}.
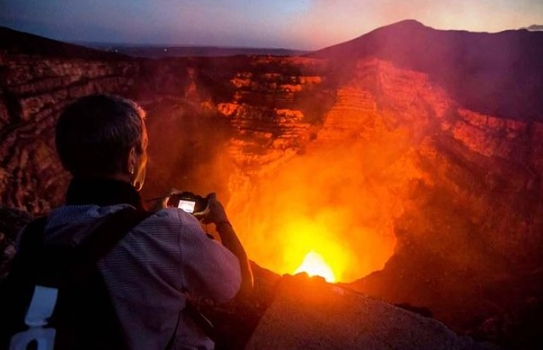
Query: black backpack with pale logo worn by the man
{"points": [[84, 316]]}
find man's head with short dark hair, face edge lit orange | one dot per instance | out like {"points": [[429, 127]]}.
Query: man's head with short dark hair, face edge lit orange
{"points": [[103, 136]]}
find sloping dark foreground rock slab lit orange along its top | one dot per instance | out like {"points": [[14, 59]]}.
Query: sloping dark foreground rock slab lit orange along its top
{"points": [[310, 314]]}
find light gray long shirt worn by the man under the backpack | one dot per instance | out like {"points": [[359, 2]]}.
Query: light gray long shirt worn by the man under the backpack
{"points": [[151, 268]]}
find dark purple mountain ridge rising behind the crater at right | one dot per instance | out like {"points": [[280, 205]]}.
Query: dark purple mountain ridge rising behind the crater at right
{"points": [[499, 73]]}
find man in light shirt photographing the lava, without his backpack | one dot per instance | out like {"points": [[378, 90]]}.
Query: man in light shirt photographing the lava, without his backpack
{"points": [[102, 141]]}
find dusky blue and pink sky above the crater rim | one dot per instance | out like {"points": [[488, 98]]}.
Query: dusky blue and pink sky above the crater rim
{"points": [[291, 24]]}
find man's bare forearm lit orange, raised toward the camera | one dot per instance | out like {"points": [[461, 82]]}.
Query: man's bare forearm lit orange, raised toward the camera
{"points": [[230, 240]]}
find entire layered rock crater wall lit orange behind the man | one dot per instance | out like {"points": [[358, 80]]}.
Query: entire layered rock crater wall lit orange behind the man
{"points": [[376, 164]]}
